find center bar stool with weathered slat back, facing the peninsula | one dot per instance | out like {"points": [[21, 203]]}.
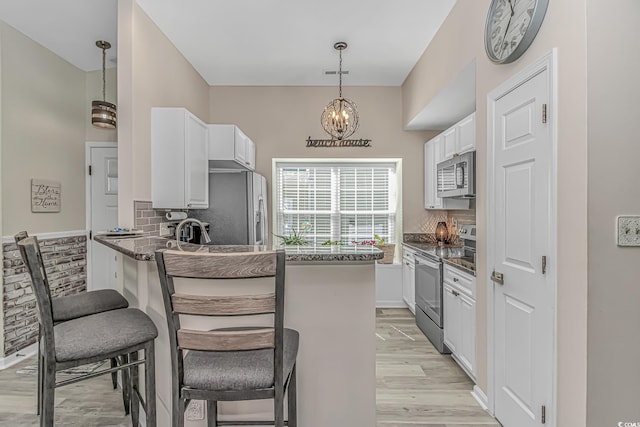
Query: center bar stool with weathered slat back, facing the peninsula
{"points": [[231, 363]]}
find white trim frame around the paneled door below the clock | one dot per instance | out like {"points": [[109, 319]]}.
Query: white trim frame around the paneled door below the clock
{"points": [[547, 62]]}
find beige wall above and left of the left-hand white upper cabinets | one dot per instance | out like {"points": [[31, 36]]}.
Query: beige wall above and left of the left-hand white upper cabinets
{"points": [[151, 73]]}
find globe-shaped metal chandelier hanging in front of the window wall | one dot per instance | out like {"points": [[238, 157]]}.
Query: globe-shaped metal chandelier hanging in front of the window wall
{"points": [[340, 117]]}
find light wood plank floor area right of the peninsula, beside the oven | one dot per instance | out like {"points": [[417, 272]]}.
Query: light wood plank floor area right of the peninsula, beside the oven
{"points": [[416, 385]]}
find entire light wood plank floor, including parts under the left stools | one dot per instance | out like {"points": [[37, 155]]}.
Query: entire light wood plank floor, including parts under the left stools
{"points": [[416, 387]]}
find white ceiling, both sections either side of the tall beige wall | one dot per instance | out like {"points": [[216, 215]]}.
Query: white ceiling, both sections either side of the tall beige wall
{"points": [[250, 42]]}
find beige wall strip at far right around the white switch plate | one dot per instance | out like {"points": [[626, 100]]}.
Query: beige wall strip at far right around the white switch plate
{"points": [[613, 67]]}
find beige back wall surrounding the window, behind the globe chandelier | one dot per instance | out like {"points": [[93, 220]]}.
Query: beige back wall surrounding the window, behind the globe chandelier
{"points": [[280, 119]]}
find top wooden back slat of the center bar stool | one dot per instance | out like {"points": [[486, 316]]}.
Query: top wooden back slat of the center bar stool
{"points": [[236, 265]]}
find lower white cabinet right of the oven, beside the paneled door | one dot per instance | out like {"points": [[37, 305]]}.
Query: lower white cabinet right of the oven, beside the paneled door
{"points": [[460, 318]]}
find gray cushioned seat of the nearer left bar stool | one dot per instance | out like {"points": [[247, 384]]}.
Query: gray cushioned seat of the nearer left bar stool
{"points": [[102, 333]]}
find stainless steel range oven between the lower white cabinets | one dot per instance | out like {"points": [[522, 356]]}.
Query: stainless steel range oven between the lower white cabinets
{"points": [[429, 315]]}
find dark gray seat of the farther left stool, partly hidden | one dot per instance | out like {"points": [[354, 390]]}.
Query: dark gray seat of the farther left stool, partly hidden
{"points": [[83, 304]]}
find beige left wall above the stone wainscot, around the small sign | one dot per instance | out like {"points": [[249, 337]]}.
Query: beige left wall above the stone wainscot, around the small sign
{"points": [[43, 134]]}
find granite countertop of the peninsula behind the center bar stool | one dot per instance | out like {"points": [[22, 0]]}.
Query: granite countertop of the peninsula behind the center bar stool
{"points": [[144, 248]]}
